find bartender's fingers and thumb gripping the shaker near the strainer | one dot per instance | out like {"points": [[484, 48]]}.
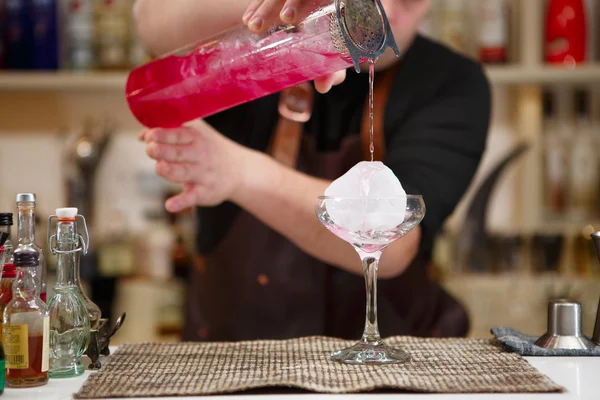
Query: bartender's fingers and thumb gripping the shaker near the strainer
{"points": [[262, 14]]}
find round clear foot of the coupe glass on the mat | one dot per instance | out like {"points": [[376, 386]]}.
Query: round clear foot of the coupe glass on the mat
{"points": [[370, 353]]}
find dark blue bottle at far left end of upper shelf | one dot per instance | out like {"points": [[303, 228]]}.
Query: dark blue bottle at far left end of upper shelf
{"points": [[18, 43]]}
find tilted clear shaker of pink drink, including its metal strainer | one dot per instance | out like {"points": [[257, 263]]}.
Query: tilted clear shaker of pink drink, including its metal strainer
{"points": [[238, 66]]}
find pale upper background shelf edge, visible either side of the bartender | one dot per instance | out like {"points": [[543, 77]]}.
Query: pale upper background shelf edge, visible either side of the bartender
{"points": [[115, 81]]}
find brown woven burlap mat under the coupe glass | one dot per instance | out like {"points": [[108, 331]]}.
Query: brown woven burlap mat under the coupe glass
{"points": [[188, 369]]}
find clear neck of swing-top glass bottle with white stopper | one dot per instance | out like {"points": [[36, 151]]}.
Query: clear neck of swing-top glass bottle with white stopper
{"points": [[67, 240]]}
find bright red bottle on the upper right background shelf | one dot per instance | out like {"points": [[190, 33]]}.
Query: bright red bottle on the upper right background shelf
{"points": [[566, 32]]}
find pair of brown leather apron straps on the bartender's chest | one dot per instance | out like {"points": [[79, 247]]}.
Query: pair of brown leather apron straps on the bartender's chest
{"points": [[295, 108]]}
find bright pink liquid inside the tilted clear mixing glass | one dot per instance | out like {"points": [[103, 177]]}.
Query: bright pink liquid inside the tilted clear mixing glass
{"points": [[172, 90]]}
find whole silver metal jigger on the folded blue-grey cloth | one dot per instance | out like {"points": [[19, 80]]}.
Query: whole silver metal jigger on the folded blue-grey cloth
{"points": [[564, 327]]}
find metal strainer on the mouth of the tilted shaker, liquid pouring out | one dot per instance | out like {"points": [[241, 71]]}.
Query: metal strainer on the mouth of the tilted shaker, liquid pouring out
{"points": [[361, 29]]}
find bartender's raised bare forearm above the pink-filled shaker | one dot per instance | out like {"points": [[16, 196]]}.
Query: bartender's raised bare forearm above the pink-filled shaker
{"points": [[168, 25]]}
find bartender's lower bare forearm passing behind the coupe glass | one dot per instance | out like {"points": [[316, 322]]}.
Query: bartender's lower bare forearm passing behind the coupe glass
{"points": [[284, 199]]}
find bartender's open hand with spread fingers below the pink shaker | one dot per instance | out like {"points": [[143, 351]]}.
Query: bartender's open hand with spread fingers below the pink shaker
{"points": [[205, 162]]}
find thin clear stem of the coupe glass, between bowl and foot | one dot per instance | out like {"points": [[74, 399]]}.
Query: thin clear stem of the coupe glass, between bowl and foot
{"points": [[370, 263]]}
